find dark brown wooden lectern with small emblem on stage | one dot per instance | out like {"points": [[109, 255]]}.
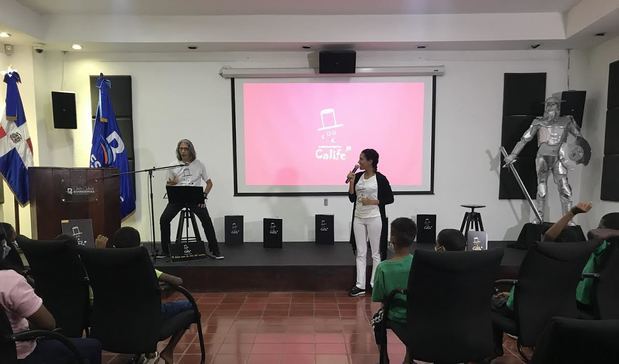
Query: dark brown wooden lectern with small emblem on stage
{"points": [[74, 193]]}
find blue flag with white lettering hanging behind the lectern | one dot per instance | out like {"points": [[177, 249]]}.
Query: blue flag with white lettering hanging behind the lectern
{"points": [[108, 149]]}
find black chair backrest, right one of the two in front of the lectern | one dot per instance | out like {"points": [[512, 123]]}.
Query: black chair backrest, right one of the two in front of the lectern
{"points": [[126, 313]]}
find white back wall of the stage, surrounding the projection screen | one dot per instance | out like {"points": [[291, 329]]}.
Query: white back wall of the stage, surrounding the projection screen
{"points": [[182, 96]]}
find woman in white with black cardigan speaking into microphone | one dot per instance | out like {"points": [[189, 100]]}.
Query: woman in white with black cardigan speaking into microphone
{"points": [[369, 191]]}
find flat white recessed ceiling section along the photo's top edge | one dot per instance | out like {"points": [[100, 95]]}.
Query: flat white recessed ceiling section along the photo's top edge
{"points": [[299, 7]]}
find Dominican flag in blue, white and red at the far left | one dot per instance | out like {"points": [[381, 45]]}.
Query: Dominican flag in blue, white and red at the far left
{"points": [[15, 144]]}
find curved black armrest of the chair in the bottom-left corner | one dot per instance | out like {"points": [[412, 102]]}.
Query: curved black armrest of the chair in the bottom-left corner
{"points": [[8, 351]]}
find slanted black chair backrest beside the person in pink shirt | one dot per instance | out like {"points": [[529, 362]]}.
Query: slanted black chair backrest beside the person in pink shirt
{"points": [[60, 280]]}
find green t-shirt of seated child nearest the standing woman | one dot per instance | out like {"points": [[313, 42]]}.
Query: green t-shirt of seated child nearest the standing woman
{"points": [[391, 274]]}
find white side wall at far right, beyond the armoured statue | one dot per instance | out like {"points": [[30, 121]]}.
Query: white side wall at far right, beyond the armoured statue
{"points": [[591, 72]]}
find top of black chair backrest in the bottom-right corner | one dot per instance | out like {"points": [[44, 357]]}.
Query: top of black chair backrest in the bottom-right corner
{"points": [[574, 341]]}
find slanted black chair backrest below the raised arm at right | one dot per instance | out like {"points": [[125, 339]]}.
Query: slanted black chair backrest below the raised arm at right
{"points": [[546, 286]]}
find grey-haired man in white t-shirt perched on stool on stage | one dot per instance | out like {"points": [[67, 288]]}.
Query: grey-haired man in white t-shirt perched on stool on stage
{"points": [[192, 173]]}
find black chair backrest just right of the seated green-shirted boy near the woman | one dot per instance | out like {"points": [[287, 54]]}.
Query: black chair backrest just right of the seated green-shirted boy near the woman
{"points": [[448, 305]]}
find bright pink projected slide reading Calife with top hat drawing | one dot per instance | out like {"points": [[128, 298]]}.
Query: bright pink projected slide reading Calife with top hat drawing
{"points": [[311, 134]]}
